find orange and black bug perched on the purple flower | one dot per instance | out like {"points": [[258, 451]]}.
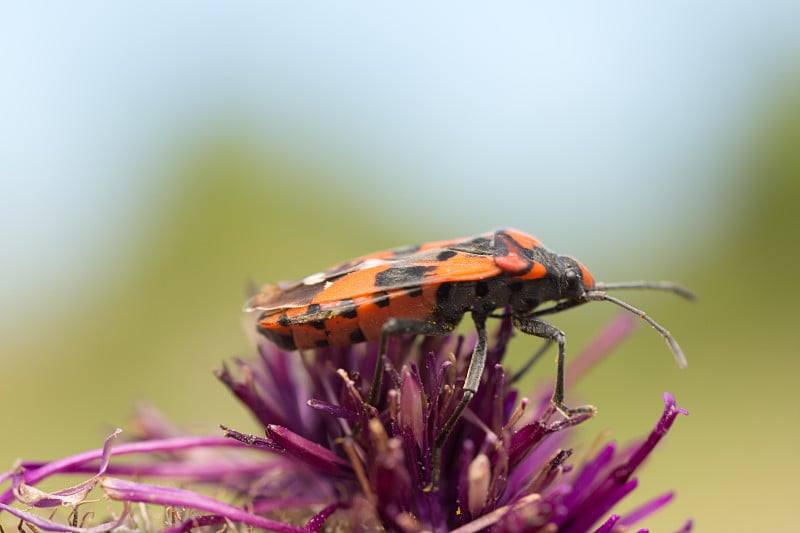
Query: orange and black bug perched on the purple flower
{"points": [[427, 289]]}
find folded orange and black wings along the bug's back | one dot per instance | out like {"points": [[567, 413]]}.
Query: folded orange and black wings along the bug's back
{"points": [[401, 268]]}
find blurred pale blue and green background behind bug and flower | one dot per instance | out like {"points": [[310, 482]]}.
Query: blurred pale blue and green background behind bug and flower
{"points": [[156, 159]]}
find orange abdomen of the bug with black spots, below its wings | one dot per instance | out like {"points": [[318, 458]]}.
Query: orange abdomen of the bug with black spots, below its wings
{"points": [[345, 322]]}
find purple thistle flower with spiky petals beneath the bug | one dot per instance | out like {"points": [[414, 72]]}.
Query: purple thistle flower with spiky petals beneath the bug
{"points": [[330, 460]]}
